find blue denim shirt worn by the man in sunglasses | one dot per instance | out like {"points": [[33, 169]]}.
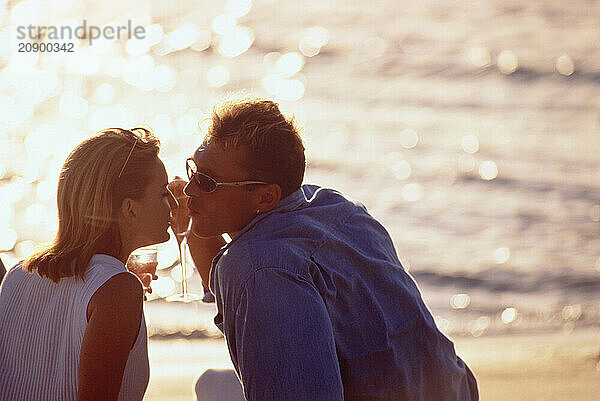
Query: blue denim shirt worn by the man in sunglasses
{"points": [[315, 305]]}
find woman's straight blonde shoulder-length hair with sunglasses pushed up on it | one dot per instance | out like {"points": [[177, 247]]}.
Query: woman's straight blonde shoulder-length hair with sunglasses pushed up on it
{"points": [[97, 176]]}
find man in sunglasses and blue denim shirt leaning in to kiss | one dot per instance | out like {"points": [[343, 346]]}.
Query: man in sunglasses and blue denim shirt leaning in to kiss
{"points": [[311, 297]]}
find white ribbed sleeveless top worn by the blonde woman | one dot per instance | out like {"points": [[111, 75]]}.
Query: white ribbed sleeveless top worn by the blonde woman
{"points": [[42, 324]]}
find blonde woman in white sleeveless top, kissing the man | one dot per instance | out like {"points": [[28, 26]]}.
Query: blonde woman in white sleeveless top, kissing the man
{"points": [[72, 325]]}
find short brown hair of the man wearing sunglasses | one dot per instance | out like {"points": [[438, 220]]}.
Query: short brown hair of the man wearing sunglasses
{"points": [[275, 152]]}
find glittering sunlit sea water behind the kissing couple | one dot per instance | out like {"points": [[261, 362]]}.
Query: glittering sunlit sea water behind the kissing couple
{"points": [[471, 131]]}
